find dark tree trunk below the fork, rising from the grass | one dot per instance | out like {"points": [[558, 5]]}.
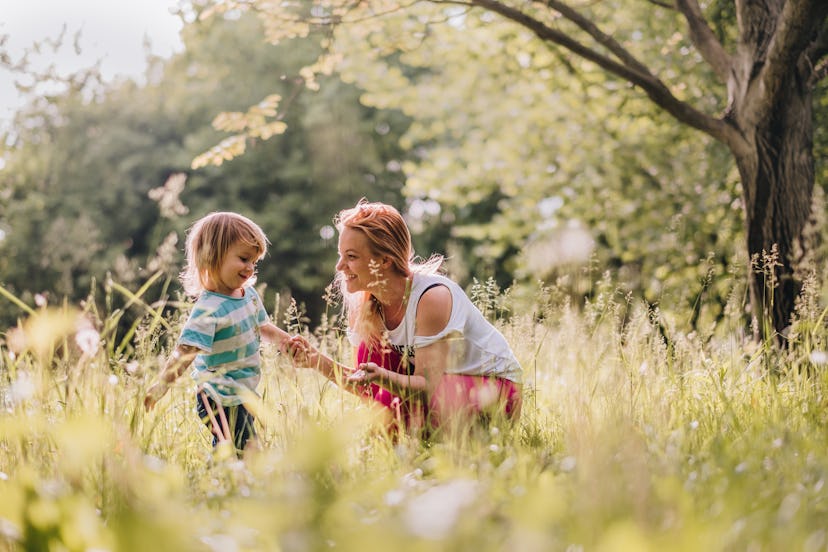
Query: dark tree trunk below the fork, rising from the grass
{"points": [[777, 173]]}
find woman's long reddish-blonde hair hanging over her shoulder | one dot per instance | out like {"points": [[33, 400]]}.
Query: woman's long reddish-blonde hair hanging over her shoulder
{"points": [[388, 236]]}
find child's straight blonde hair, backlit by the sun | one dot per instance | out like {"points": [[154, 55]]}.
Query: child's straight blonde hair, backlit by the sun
{"points": [[208, 241]]}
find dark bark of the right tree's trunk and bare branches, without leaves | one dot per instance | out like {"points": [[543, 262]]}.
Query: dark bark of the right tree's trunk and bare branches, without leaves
{"points": [[768, 125]]}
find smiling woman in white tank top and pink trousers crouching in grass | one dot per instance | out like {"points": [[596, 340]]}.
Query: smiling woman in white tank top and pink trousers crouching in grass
{"points": [[424, 351]]}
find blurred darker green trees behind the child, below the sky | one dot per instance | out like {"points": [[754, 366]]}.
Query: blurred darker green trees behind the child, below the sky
{"points": [[101, 183]]}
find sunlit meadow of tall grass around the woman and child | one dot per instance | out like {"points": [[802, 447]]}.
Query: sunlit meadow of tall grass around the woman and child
{"points": [[636, 434]]}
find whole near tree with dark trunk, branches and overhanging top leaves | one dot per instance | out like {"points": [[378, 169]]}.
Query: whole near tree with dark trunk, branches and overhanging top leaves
{"points": [[767, 58]]}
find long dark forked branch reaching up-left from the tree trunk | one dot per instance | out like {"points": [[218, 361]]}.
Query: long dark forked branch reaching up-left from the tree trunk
{"points": [[629, 68]]}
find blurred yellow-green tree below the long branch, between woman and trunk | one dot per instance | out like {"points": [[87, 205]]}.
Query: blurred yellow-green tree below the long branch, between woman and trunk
{"points": [[533, 196]]}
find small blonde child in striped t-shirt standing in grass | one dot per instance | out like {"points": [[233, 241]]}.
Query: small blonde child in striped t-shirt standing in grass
{"points": [[223, 332]]}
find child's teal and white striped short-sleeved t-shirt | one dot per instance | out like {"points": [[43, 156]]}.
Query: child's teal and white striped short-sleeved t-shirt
{"points": [[226, 331]]}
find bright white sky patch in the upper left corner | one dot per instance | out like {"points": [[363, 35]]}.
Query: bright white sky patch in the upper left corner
{"points": [[112, 31]]}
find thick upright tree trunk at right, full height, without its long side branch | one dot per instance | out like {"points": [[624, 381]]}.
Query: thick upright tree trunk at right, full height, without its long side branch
{"points": [[770, 88]]}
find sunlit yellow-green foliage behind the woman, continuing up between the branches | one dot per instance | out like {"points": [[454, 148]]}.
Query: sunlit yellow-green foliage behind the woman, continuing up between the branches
{"points": [[538, 160]]}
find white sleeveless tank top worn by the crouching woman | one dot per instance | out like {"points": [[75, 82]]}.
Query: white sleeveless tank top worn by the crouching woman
{"points": [[476, 347]]}
